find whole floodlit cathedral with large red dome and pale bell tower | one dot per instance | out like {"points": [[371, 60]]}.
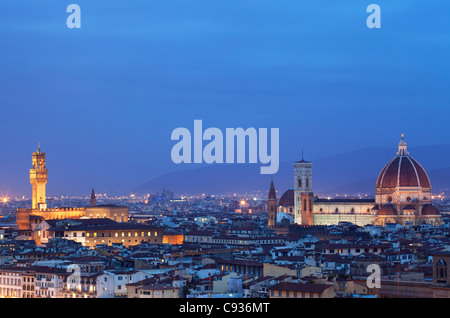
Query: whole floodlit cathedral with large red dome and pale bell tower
{"points": [[402, 195]]}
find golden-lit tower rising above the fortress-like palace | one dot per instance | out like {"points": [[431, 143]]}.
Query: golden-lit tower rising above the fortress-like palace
{"points": [[38, 180]]}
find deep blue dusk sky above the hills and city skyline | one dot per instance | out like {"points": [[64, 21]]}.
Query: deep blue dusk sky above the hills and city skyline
{"points": [[104, 99]]}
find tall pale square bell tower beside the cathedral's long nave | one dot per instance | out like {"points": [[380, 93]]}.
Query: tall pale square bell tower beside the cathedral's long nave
{"points": [[303, 195]]}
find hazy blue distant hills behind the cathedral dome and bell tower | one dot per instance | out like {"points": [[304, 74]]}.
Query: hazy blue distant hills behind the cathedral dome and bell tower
{"points": [[351, 172]]}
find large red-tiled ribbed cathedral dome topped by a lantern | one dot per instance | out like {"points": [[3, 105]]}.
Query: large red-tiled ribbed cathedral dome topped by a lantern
{"points": [[402, 171]]}
